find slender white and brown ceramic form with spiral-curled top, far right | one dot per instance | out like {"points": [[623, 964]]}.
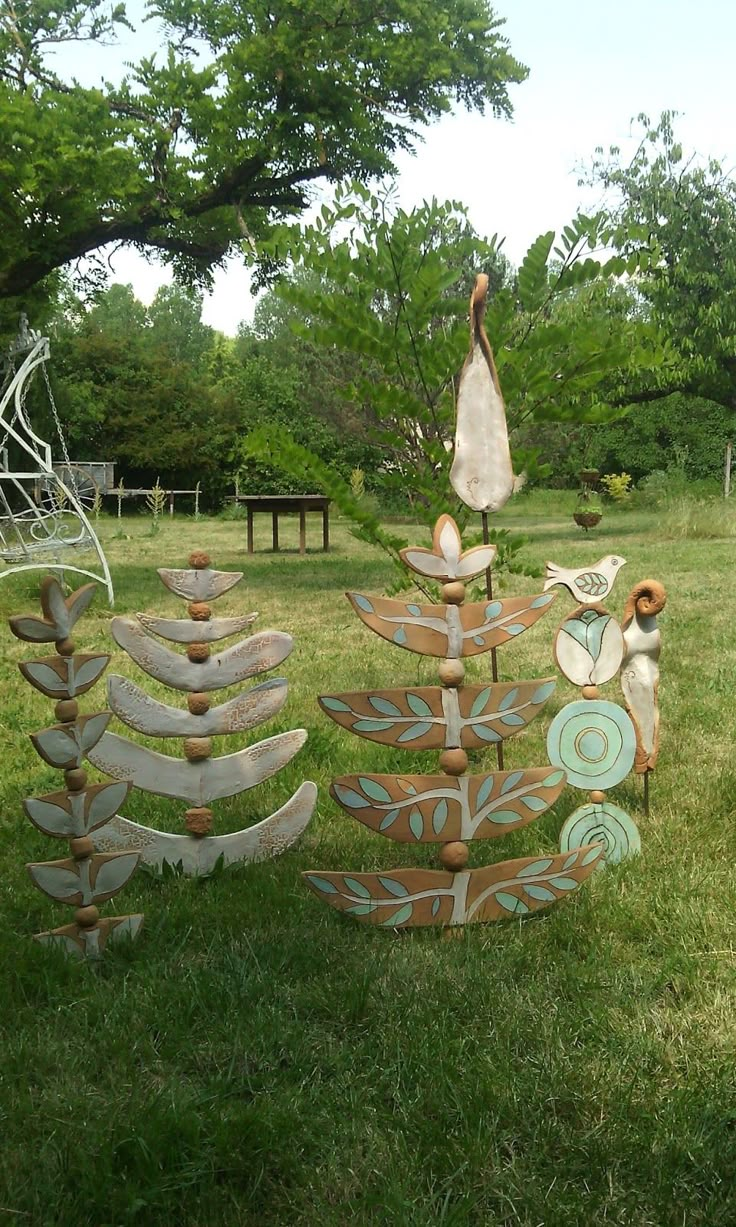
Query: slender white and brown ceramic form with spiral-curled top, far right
{"points": [[640, 672]]}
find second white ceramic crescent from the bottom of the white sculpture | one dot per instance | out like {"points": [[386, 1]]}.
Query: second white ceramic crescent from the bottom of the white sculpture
{"points": [[196, 782]]}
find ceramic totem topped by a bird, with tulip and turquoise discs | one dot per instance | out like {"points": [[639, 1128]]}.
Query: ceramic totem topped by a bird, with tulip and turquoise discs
{"points": [[593, 740]]}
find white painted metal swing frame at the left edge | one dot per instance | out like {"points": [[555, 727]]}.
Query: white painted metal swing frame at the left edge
{"points": [[39, 538]]}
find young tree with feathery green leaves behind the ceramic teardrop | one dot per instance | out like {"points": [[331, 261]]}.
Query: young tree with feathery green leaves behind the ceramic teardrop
{"points": [[389, 288]]}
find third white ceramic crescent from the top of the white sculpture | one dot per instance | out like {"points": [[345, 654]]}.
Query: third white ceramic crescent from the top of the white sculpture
{"points": [[246, 660]]}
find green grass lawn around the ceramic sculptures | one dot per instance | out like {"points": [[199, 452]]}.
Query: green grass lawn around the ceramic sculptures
{"points": [[258, 1060]]}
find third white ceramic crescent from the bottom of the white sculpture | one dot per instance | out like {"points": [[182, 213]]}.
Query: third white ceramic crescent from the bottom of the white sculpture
{"points": [[145, 715]]}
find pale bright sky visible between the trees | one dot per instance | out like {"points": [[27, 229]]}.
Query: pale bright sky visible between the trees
{"points": [[593, 67]]}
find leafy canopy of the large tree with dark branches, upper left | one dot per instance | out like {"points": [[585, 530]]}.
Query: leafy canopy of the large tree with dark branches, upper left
{"points": [[202, 145]]}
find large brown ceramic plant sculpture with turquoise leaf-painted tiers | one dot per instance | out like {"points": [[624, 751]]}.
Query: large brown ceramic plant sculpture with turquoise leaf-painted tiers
{"points": [[450, 808]]}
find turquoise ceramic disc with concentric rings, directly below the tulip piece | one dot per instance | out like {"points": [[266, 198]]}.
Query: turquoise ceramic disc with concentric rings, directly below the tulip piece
{"points": [[594, 743]]}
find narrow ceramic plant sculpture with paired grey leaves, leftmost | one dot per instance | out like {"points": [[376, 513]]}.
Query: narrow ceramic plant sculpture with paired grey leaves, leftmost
{"points": [[77, 813]]}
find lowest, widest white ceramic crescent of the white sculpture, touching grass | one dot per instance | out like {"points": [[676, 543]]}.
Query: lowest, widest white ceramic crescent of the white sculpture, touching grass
{"points": [[263, 841]]}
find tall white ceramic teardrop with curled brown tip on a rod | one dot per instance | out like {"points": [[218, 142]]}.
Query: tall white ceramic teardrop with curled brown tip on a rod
{"points": [[481, 473]]}
